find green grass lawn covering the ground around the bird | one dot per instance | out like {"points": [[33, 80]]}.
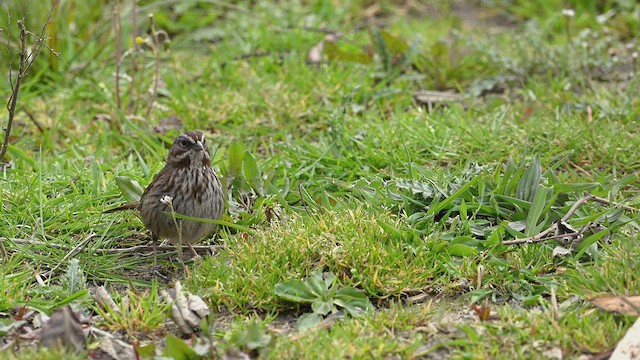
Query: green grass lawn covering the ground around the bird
{"points": [[336, 167]]}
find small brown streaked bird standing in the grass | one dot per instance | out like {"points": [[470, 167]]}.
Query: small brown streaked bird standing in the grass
{"points": [[188, 185]]}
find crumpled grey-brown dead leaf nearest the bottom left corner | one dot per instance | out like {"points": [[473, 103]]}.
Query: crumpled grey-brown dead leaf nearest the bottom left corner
{"points": [[63, 329]]}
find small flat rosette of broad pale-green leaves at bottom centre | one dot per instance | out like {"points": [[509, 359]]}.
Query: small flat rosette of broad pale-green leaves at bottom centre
{"points": [[325, 297]]}
